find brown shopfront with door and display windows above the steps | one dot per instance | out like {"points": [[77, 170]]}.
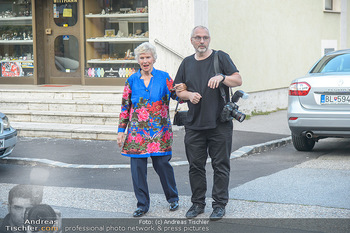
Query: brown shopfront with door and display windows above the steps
{"points": [[81, 42]]}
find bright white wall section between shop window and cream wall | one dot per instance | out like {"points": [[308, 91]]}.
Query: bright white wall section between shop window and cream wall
{"points": [[171, 22]]}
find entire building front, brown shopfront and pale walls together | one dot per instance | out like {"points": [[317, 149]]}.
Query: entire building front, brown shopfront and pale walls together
{"points": [[90, 42]]}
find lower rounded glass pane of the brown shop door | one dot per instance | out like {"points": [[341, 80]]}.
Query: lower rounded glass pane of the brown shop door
{"points": [[67, 53]]}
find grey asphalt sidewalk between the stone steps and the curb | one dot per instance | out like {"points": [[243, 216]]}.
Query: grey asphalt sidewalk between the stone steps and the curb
{"points": [[107, 152]]}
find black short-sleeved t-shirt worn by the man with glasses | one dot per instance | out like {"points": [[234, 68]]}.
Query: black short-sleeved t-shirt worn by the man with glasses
{"points": [[196, 74]]}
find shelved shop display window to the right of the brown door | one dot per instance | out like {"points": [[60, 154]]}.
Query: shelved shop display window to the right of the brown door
{"points": [[114, 28]]}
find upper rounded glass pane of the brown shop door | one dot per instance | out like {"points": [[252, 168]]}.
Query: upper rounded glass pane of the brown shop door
{"points": [[65, 14]]}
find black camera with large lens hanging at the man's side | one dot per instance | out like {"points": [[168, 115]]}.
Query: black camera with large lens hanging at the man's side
{"points": [[230, 110]]}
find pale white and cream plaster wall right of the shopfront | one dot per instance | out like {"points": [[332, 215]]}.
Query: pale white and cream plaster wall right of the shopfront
{"points": [[272, 42]]}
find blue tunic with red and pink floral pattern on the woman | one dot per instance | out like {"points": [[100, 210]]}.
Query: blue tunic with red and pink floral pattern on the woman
{"points": [[145, 111]]}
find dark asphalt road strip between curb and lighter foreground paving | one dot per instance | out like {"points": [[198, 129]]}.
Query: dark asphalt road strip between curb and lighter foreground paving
{"points": [[243, 170]]}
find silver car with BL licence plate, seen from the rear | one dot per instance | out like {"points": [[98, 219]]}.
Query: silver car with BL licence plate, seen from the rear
{"points": [[319, 103]]}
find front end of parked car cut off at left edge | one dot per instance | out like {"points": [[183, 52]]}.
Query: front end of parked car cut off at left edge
{"points": [[8, 136]]}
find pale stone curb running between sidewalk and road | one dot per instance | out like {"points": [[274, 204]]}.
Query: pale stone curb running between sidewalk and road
{"points": [[243, 151]]}
